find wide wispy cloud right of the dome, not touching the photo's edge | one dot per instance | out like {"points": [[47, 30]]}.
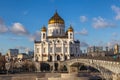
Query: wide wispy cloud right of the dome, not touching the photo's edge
{"points": [[100, 22]]}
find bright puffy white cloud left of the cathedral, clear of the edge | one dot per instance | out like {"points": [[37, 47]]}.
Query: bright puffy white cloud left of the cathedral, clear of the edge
{"points": [[18, 29]]}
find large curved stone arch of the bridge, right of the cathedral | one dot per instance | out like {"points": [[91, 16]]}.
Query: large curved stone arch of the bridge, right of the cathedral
{"points": [[106, 73]]}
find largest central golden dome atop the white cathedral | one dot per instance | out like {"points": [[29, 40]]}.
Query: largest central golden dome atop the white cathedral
{"points": [[56, 19]]}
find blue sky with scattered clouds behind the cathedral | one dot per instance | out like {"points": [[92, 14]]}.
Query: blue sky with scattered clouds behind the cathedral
{"points": [[95, 22]]}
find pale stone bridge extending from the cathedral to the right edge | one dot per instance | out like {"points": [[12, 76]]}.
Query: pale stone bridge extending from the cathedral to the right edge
{"points": [[109, 69]]}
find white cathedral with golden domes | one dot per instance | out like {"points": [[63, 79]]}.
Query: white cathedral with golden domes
{"points": [[56, 44]]}
